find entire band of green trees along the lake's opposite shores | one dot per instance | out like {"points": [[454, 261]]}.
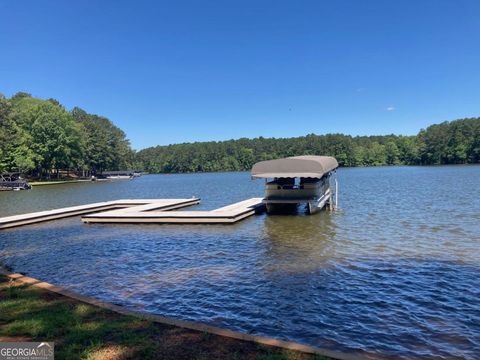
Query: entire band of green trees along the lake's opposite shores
{"points": [[42, 139]]}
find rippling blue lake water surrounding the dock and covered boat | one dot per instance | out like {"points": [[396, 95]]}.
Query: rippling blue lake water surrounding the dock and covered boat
{"points": [[396, 272]]}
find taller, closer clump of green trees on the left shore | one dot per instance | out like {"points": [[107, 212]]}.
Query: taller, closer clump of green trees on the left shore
{"points": [[41, 138]]}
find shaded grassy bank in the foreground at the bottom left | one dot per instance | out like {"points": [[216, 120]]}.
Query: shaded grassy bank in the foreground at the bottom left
{"points": [[83, 331]]}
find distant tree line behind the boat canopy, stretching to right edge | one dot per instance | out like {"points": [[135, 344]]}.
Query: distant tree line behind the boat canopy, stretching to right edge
{"points": [[455, 142]]}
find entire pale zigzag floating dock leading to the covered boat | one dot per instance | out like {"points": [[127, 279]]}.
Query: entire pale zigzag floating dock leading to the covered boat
{"points": [[160, 211]]}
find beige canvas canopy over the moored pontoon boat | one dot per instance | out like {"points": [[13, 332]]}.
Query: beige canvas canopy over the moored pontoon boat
{"points": [[310, 166]]}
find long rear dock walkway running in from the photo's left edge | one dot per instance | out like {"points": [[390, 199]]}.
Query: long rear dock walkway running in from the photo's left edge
{"points": [[36, 217]]}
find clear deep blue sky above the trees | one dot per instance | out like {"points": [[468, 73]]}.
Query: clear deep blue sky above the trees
{"points": [[182, 71]]}
